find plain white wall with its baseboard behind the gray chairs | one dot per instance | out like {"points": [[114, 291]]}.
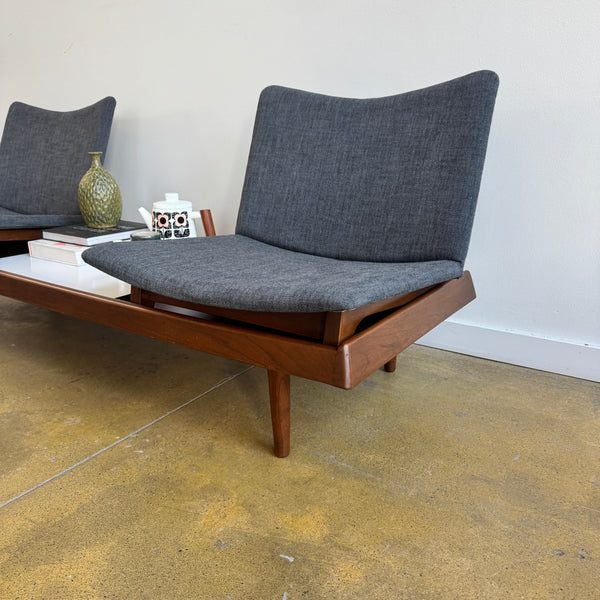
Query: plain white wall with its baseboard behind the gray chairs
{"points": [[187, 73]]}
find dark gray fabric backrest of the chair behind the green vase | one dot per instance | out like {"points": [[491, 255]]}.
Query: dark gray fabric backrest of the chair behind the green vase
{"points": [[44, 155]]}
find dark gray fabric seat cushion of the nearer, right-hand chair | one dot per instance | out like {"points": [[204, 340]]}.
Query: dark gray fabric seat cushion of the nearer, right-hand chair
{"points": [[239, 272]]}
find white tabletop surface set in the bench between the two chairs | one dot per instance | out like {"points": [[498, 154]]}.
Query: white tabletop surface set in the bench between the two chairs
{"points": [[84, 277]]}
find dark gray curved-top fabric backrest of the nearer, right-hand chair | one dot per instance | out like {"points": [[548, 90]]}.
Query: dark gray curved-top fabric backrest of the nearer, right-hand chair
{"points": [[386, 179]]}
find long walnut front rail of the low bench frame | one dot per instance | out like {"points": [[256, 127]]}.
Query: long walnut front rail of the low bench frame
{"points": [[236, 341]]}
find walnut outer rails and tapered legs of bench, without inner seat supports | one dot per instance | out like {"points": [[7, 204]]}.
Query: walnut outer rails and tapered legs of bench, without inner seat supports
{"points": [[345, 365]]}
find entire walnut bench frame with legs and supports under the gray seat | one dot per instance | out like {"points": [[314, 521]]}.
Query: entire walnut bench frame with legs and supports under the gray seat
{"points": [[338, 348]]}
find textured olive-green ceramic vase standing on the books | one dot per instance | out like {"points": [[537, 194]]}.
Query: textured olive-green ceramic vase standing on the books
{"points": [[99, 196]]}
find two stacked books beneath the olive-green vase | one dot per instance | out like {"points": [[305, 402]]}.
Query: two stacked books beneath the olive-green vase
{"points": [[66, 244]]}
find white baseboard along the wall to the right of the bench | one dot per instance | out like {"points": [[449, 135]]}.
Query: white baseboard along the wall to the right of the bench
{"points": [[516, 348]]}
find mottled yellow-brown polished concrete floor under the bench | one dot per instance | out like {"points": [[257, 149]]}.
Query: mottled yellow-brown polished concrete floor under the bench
{"points": [[134, 469]]}
